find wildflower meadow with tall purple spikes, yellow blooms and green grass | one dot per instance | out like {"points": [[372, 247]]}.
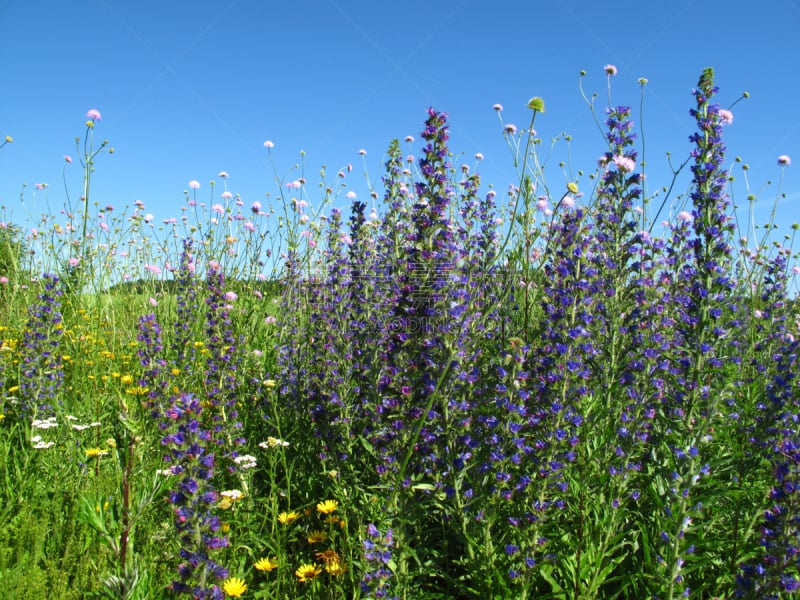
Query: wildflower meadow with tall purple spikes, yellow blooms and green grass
{"points": [[572, 391]]}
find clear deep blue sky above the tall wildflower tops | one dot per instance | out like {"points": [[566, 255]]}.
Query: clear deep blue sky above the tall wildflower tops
{"points": [[189, 89]]}
